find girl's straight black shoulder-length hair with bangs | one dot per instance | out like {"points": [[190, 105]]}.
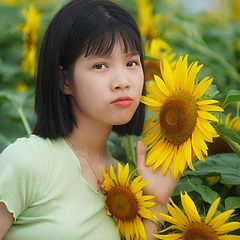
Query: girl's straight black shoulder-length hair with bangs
{"points": [[80, 27]]}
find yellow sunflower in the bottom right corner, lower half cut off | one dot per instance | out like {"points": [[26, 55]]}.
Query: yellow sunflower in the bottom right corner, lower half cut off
{"points": [[188, 225]]}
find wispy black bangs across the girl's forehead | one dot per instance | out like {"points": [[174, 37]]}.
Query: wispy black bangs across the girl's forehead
{"points": [[104, 42]]}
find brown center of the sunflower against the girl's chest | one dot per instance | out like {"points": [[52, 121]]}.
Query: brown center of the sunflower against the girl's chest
{"points": [[122, 203]]}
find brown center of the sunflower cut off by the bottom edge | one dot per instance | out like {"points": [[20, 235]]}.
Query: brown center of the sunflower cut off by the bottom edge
{"points": [[199, 231]]}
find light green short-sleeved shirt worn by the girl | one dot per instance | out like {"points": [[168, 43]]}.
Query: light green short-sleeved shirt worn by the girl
{"points": [[41, 183]]}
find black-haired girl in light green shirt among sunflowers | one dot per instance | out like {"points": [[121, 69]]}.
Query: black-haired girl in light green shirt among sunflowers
{"points": [[89, 81]]}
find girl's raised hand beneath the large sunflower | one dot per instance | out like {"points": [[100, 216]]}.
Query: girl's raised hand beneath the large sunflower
{"points": [[158, 185]]}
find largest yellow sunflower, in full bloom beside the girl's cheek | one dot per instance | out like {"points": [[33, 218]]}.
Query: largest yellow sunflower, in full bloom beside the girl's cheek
{"points": [[180, 121]]}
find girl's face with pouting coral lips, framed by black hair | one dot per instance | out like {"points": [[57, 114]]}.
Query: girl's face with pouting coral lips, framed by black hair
{"points": [[106, 88]]}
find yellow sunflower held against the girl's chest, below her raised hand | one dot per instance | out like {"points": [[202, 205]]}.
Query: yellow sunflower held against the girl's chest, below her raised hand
{"points": [[126, 203]]}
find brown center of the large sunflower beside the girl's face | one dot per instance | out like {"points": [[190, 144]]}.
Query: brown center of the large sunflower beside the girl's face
{"points": [[178, 117]]}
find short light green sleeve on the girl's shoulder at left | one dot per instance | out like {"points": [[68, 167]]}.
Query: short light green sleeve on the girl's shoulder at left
{"points": [[19, 176]]}
